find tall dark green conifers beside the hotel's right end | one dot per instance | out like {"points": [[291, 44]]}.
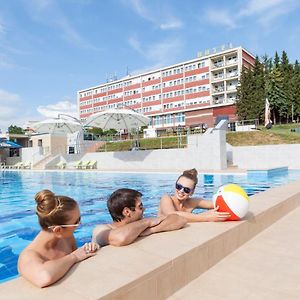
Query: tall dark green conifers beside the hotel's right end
{"points": [[276, 79]]}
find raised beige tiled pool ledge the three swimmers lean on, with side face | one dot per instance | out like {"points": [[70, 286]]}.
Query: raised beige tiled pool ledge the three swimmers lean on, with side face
{"points": [[157, 266]]}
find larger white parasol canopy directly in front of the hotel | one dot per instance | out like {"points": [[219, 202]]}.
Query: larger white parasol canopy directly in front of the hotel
{"points": [[117, 119]]}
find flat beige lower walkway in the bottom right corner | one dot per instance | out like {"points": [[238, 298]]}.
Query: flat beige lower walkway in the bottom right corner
{"points": [[266, 267]]}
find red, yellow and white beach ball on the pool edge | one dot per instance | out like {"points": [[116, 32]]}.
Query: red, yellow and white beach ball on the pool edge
{"points": [[233, 199]]}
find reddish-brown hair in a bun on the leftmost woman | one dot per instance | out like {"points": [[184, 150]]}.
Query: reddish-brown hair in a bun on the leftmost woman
{"points": [[52, 209]]}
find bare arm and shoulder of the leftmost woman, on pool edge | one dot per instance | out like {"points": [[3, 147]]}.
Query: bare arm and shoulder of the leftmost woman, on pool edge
{"points": [[43, 273]]}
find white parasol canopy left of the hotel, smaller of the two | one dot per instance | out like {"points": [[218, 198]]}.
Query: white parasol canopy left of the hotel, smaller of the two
{"points": [[57, 126]]}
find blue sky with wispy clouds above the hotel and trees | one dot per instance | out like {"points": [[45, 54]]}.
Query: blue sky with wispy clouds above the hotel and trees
{"points": [[49, 49]]}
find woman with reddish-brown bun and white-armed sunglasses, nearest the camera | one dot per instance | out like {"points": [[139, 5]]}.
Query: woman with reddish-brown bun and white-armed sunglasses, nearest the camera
{"points": [[53, 252]]}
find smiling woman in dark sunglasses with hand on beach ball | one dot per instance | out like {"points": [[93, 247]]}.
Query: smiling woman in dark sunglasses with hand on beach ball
{"points": [[183, 204]]}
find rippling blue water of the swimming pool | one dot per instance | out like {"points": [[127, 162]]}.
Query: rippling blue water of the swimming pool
{"points": [[18, 222]]}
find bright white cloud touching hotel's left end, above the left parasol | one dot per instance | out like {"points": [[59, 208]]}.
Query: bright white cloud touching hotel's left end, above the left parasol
{"points": [[61, 107]]}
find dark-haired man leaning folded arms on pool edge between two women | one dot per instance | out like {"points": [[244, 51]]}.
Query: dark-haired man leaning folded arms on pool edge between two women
{"points": [[126, 209]]}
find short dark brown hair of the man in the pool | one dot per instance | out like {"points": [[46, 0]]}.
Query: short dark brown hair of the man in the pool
{"points": [[120, 199]]}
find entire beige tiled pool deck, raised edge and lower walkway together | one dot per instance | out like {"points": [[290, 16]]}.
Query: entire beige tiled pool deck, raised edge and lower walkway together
{"points": [[165, 264]]}
